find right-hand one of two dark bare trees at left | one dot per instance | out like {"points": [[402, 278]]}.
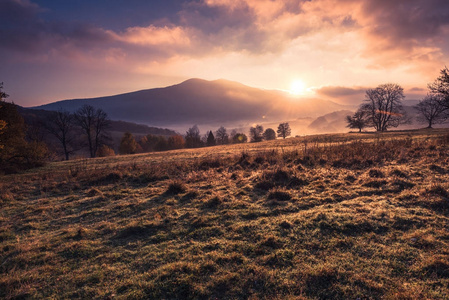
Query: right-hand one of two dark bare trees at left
{"points": [[94, 123]]}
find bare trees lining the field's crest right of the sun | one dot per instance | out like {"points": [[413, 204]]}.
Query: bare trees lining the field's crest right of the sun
{"points": [[382, 108]]}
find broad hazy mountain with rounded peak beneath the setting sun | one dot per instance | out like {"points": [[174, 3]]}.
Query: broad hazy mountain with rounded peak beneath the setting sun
{"points": [[197, 101]]}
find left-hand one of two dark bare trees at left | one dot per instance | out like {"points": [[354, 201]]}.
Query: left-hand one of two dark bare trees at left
{"points": [[61, 125]]}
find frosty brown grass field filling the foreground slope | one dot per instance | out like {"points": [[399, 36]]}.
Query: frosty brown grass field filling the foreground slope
{"points": [[345, 216]]}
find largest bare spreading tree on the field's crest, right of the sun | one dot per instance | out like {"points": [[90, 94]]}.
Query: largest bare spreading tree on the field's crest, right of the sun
{"points": [[384, 106]]}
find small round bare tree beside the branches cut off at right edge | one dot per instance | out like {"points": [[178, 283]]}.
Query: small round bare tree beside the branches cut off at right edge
{"points": [[431, 111]]}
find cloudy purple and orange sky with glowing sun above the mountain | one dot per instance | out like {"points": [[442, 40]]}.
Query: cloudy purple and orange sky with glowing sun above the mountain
{"points": [[331, 49]]}
